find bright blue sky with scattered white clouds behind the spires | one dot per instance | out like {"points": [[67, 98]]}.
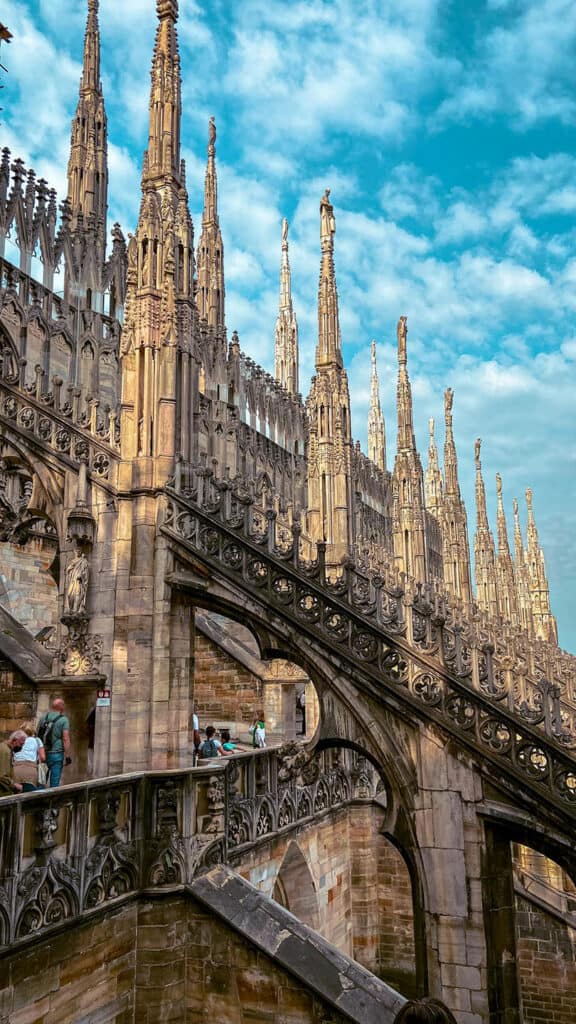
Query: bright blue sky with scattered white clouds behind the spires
{"points": [[447, 134]]}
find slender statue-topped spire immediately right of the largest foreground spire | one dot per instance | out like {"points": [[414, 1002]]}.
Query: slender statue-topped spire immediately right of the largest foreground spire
{"points": [[211, 249]]}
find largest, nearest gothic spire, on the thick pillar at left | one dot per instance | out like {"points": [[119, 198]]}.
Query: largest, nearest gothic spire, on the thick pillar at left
{"points": [[159, 314]]}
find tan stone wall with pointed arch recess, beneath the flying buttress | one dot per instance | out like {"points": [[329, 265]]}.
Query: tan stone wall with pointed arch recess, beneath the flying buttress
{"points": [[358, 893]]}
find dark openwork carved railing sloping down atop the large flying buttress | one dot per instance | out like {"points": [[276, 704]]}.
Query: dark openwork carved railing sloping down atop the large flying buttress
{"points": [[397, 644]]}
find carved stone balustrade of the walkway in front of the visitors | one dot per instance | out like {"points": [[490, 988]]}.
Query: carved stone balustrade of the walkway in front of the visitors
{"points": [[68, 854]]}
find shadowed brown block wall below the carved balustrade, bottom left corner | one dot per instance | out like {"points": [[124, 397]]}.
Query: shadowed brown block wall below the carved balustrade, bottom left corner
{"points": [[158, 962]]}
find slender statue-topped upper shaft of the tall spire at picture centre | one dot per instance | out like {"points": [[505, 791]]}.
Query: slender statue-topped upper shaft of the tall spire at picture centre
{"points": [[330, 340]]}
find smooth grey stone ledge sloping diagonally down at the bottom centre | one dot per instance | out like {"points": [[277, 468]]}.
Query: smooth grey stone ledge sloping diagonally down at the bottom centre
{"points": [[348, 987]]}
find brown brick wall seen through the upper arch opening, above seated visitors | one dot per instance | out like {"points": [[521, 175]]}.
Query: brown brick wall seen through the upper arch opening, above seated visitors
{"points": [[224, 690]]}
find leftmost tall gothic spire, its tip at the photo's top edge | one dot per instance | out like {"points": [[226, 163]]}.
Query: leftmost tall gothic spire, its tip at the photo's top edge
{"points": [[88, 168]]}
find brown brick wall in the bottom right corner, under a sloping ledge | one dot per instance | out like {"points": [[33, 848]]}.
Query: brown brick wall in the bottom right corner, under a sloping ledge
{"points": [[547, 957]]}
